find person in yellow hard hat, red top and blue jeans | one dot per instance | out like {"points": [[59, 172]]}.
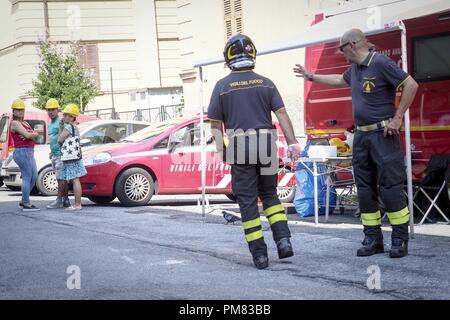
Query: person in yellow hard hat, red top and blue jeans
{"points": [[23, 137]]}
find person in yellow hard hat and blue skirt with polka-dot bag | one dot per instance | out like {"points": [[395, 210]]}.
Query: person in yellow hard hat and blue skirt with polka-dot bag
{"points": [[71, 157]]}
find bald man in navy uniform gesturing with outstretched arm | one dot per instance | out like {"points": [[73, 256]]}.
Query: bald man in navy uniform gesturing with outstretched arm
{"points": [[378, 162]]}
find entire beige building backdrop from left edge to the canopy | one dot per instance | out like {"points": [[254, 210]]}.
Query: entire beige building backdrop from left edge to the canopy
{"points": [[152, 45]]}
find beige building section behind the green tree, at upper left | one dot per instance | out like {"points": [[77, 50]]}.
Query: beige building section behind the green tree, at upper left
{"points": [[135, 39]]}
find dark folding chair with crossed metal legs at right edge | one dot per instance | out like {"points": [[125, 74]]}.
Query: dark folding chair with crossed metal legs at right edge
{"points": [[434, 187]]}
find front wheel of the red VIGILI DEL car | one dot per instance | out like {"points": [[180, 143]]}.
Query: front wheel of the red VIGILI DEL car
{"points": [[134, 187]]}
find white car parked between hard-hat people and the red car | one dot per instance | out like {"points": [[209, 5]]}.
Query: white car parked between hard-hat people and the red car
{"points": [[92, 133]]}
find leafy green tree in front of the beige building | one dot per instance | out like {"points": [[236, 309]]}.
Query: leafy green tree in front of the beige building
{"points": [[62, 77]]}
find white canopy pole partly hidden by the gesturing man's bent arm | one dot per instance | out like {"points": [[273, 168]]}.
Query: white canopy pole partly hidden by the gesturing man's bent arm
{"points": [[407, 137]]}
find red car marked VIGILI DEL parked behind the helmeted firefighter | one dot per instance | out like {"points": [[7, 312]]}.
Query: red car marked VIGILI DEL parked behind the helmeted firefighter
{"points": [[153, 161]]}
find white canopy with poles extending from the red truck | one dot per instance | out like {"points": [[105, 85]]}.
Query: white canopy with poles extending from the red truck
{"points": [[384, 16]]}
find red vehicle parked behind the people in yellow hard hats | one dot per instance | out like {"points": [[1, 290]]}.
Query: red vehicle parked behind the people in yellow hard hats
{"points": [[38, 119]]}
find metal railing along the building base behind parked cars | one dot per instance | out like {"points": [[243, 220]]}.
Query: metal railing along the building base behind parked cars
{"points": [[156, 114]]}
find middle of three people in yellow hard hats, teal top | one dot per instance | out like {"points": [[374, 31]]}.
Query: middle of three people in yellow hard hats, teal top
{"points": [[62, 200]]}
